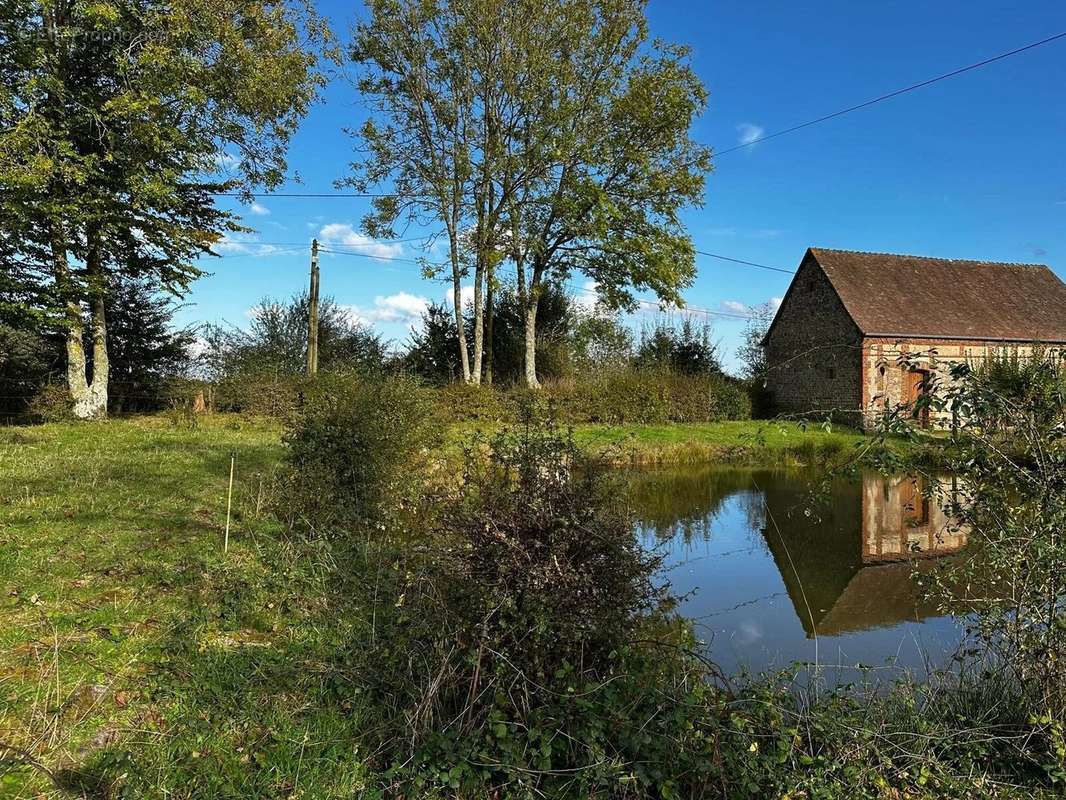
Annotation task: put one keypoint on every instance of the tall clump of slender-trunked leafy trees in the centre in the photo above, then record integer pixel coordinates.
(546, 132)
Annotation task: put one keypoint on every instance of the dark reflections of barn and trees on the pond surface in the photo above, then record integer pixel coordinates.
(847, 558)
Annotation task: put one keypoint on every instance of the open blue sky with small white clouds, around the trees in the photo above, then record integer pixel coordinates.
(970, 168)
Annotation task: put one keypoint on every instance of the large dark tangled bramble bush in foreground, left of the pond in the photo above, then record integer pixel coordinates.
(506, 658)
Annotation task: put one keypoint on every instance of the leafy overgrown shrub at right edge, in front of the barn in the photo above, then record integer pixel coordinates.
(1008, 460)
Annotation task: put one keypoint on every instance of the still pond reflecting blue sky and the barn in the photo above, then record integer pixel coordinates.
(771, 573)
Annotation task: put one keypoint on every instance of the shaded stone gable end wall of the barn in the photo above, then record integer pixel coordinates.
(814, 350)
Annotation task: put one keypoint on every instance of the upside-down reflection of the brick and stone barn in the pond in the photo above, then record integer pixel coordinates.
(850, 567)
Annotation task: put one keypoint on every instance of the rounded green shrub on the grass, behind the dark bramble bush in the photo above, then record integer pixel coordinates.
(358, 453)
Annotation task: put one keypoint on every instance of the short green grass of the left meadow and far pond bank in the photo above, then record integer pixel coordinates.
(126, 630)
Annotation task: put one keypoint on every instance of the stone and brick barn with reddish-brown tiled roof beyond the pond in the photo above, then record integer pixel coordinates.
(850, 321)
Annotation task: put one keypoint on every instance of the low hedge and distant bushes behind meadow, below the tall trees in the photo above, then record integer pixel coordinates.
(594, 369)
